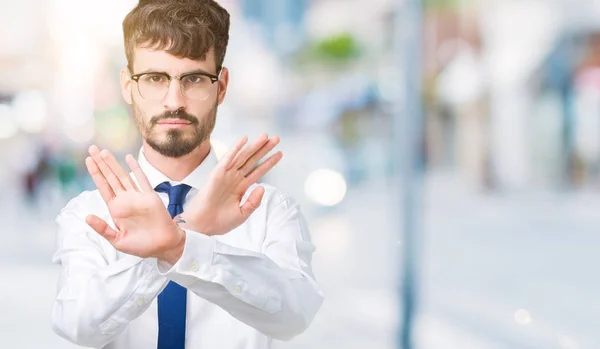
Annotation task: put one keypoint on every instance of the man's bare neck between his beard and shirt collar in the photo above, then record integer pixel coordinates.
(177, 169)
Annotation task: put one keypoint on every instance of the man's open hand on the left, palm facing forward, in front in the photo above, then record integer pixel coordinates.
(144, 227)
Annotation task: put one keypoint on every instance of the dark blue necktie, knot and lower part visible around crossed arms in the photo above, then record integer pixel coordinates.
(172, 300)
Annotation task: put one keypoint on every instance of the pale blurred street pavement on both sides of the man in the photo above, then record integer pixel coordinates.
(484, 258)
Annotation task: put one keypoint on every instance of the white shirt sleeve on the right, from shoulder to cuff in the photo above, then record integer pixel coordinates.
(274, 290)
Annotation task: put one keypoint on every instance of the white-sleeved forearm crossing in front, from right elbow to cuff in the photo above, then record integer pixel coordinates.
(280, 303)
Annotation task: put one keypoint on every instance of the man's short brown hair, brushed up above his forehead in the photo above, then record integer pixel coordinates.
(183, 28)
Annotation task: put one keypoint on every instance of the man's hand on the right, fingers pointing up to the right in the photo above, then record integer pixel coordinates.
(216, 209)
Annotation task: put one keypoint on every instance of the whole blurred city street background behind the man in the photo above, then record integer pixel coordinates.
(505, 179)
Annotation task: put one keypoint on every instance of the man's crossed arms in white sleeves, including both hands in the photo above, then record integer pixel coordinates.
(273, 291)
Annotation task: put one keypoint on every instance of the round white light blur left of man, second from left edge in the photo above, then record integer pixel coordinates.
(31, 111)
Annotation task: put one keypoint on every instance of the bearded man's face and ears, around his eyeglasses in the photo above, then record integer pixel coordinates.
(175, 125)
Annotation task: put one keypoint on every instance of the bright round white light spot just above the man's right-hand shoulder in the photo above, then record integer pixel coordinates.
(325, 187)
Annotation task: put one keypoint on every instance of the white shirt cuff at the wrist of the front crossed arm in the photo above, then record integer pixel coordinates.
(195, 262)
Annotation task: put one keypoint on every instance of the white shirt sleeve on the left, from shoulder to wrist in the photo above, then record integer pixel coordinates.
(97, 295)
